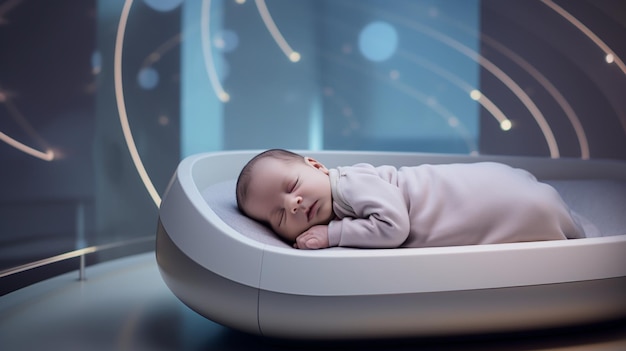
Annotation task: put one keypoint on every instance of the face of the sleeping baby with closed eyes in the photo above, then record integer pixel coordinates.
(290, 196)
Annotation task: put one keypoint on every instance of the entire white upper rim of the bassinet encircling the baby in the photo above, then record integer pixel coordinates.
(210, 242)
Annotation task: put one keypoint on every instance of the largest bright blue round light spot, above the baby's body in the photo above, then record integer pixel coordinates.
(378, 41)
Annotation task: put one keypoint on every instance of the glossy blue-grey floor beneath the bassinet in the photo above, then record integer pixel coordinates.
(124, 305)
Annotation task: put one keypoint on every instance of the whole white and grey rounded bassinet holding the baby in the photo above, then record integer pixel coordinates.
(234, 271)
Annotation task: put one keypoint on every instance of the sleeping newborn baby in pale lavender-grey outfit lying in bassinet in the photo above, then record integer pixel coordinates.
(364, 206)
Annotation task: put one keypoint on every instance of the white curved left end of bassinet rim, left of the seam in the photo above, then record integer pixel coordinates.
(197, 231)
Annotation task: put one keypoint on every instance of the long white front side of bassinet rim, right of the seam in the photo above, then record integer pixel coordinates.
(337, 272)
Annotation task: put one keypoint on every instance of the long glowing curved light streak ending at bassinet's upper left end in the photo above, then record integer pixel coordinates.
(121, 106)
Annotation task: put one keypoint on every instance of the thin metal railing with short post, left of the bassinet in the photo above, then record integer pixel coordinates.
(73, 254)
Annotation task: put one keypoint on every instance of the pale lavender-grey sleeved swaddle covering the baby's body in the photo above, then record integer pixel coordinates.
(445, 205)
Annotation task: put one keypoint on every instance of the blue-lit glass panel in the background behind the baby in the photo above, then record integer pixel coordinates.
(332, 74)
